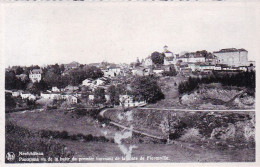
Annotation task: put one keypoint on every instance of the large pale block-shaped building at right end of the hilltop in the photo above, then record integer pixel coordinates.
(232, 57)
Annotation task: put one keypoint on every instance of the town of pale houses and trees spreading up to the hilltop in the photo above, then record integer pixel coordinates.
(109, 84)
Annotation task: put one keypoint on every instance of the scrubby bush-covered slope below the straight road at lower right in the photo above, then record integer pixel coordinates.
(219, 126)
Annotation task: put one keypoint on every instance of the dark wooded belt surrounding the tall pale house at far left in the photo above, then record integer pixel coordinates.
(53, 75)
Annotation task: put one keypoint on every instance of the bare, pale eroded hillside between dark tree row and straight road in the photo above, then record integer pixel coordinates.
(206, 96)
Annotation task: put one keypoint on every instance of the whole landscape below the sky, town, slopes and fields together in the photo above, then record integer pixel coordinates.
(194, 101)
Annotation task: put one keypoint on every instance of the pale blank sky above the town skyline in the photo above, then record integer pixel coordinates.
(52, 33)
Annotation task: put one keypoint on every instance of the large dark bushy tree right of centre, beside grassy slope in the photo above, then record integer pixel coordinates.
(146, 88)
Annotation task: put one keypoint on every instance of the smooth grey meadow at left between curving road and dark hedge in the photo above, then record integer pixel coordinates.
(58, 120)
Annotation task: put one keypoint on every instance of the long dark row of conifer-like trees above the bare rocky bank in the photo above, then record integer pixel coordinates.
(241, 79)
